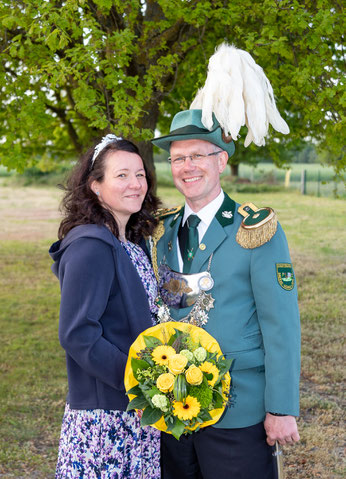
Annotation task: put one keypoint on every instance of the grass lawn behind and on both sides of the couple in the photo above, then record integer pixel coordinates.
(33, 378)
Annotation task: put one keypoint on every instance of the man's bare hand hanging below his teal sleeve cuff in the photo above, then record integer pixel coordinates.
(281, 428)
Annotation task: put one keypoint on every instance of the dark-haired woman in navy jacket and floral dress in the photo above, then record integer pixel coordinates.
(108, 290)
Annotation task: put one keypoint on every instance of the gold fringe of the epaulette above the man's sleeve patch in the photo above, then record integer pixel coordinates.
(253, 238)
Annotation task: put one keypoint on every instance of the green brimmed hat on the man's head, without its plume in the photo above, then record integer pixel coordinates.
(187, 125)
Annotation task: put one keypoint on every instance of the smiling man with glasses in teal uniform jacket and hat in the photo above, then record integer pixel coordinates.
(254, 316)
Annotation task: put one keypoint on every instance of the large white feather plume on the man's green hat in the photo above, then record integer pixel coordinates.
(238, 92)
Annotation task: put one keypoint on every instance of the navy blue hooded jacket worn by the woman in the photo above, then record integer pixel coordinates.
(103, 309)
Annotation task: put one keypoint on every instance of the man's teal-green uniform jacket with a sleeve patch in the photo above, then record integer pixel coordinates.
(254, 319)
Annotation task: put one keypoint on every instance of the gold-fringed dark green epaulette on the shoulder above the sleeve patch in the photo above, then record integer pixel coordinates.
(258, 226)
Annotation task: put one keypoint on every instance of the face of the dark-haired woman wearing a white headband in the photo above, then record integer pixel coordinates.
(124, 185)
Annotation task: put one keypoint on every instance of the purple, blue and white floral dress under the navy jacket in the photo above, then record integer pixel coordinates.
(109, 444)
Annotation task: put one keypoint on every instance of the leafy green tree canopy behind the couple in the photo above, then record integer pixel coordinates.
(74, 70)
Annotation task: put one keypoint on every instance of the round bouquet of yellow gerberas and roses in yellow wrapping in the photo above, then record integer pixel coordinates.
(177, 374)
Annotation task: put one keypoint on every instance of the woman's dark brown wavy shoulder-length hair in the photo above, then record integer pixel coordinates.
(81, 206)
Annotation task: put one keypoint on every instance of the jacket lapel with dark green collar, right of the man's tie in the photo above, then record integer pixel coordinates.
(215, 234)
